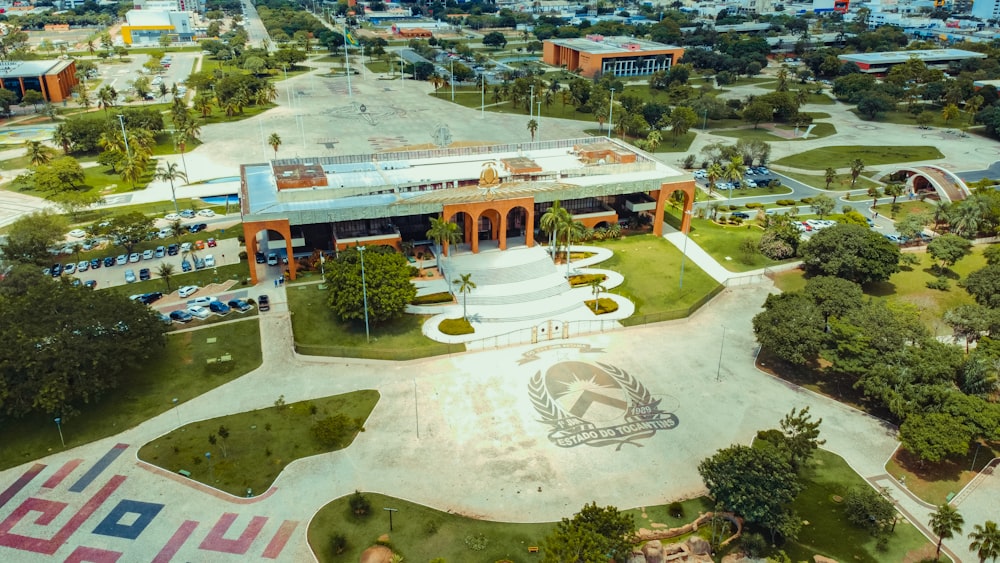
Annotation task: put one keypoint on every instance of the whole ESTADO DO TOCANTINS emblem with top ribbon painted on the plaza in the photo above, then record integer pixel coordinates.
(595, 404)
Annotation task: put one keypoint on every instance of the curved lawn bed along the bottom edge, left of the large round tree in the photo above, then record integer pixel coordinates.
(421, 533)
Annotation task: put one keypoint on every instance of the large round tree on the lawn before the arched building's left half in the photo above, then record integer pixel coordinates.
(386, 283)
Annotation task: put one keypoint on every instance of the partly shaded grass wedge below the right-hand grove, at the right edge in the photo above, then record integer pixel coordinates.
(933, 482)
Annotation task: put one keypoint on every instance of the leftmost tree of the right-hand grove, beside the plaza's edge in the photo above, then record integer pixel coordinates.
(791, 327)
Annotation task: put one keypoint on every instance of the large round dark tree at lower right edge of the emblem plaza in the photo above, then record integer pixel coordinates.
(756, 483)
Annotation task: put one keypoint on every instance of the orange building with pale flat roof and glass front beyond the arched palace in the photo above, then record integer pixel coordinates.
(618, 56)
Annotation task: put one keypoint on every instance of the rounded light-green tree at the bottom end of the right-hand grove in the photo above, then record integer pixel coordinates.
(934, 436)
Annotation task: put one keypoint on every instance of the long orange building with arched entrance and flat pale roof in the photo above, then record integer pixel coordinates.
(496, 194)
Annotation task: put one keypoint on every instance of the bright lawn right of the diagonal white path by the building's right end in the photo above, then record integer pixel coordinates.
(723, 242)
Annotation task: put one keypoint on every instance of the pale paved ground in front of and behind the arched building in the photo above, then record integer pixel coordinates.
(528, 433)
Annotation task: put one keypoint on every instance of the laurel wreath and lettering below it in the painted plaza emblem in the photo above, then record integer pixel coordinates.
(565, 426)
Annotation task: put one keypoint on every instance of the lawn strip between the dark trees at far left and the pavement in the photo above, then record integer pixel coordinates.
(179, 371)
